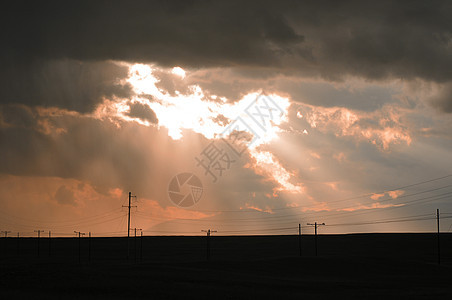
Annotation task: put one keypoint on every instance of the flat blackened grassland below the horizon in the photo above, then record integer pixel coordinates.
(359, 266)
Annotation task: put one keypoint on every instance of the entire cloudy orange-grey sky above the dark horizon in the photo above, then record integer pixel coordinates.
(280, 112)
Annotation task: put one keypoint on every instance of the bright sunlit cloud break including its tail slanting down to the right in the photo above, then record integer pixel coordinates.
(194, 111)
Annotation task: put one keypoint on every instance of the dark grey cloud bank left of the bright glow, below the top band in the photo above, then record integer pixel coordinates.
(70, 84)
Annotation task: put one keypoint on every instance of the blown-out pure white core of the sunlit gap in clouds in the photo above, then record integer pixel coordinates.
(193, 111)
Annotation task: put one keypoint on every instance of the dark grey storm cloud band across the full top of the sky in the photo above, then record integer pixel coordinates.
(329, 38)
